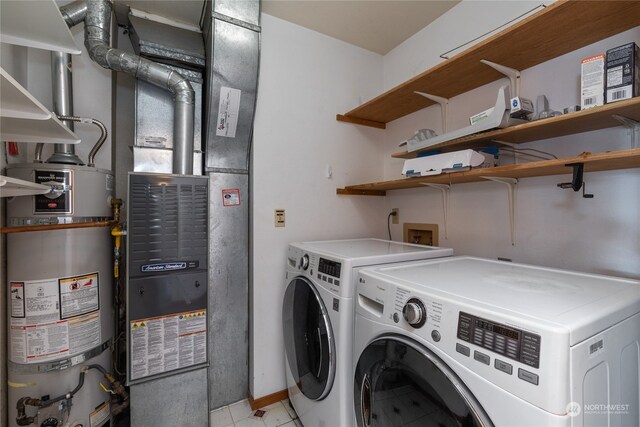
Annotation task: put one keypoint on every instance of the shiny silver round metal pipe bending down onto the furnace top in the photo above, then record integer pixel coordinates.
(97, 29)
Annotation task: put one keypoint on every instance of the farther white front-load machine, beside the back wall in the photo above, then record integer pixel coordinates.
(318, 313)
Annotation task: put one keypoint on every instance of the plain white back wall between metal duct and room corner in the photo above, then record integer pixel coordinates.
(305, 79)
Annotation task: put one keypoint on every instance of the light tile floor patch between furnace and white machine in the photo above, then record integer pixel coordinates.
(240, 414)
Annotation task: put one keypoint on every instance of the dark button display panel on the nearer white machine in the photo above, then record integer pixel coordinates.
(510, 342)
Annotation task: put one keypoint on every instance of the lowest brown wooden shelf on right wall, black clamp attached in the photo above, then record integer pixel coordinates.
(624, 159)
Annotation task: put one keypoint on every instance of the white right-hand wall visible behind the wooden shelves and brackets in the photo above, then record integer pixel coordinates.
(554, 227)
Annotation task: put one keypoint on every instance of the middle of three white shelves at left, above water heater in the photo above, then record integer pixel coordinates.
(24, 119)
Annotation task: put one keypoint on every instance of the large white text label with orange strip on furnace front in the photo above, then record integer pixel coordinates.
(166, 343)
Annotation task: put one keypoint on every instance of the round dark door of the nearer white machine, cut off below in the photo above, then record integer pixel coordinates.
(399, 383)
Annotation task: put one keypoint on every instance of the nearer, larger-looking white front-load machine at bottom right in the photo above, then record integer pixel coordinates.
(470, 342)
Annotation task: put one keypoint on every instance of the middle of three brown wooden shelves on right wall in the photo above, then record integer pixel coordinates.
(567, 124)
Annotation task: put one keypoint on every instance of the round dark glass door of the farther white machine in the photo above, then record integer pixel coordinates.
(308, 339)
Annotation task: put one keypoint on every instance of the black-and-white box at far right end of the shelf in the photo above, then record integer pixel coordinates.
(623, 72)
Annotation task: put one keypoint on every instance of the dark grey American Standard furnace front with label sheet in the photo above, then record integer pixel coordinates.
(167, 249)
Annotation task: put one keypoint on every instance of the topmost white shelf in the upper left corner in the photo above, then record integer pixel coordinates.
(36, 24)
